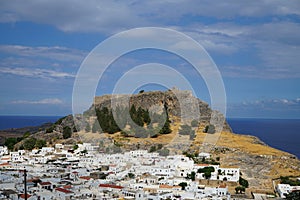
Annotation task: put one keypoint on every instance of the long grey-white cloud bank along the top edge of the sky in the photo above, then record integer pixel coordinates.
(111, 16)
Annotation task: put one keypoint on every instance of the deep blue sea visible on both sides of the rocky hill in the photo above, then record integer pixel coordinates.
(283, 134)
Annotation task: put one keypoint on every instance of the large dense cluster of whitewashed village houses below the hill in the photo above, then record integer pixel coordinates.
(62, 172)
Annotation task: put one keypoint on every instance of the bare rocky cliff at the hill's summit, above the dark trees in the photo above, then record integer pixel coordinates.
(180, 105)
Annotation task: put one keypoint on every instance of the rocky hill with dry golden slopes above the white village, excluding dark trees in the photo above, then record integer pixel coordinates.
(259, 163)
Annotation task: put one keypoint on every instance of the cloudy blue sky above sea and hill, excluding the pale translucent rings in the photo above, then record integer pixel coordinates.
(255, 46)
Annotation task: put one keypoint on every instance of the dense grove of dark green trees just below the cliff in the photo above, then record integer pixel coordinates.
(143, 120)
